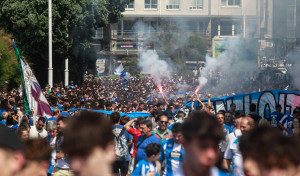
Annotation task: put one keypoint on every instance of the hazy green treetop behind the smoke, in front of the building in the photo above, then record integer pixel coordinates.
(179, 45)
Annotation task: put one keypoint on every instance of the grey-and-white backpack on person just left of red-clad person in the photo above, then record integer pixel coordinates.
(121, 148)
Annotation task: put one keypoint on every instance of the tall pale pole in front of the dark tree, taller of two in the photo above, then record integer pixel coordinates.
(50, 69)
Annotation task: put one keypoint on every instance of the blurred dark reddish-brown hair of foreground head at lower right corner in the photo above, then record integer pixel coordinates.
(269, 148)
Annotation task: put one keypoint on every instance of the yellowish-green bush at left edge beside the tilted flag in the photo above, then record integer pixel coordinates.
(9, 71)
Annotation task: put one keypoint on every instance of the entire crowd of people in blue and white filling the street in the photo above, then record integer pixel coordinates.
(75, 141)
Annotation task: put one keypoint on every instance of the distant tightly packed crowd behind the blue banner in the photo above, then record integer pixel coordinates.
(113, 94)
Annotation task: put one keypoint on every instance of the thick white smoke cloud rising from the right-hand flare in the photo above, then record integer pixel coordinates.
(233, 66)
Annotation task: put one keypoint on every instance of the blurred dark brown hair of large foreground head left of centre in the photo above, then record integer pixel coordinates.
(86, 131)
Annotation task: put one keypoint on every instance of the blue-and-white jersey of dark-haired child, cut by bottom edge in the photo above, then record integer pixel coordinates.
(143, 167)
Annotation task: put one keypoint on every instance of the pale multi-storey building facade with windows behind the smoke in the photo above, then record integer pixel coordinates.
(213, 19)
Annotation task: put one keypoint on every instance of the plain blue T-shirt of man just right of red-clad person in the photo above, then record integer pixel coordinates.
(142, 144)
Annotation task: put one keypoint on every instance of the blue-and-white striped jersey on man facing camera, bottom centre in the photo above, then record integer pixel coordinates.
(172, 155)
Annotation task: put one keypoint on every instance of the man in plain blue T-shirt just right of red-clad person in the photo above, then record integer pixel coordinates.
(146, 138)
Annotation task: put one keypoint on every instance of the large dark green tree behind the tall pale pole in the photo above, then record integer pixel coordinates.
(74, 22)
